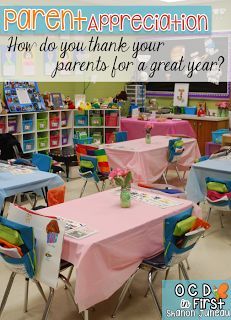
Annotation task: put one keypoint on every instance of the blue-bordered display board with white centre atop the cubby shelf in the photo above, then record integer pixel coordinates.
(23, 96)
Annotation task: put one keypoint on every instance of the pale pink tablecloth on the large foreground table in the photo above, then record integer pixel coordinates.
(105, 260)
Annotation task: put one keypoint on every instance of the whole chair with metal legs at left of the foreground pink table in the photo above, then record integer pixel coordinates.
(28, 260)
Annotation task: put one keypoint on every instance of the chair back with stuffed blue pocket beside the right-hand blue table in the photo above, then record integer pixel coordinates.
(218, 193)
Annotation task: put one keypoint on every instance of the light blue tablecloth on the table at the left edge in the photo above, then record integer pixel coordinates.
(11, 184)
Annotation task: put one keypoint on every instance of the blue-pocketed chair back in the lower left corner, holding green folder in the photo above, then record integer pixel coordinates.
(17, 247)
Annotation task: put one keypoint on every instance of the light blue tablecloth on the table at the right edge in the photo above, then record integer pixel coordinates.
(214, 168)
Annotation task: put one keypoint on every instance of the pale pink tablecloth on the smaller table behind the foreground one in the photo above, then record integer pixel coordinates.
(148, 162)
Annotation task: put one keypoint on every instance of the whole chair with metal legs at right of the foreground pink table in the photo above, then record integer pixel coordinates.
(171, 256)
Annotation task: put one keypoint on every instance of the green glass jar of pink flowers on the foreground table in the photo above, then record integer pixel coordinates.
(123, 179)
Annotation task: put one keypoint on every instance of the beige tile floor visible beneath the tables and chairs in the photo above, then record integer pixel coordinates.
(211, 259)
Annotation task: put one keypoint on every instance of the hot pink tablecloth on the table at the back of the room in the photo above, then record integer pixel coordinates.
(136, 128)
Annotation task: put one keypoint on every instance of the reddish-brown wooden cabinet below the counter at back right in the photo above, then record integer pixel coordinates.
(204, 128)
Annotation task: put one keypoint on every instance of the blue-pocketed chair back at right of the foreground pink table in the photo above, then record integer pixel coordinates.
(177, 246)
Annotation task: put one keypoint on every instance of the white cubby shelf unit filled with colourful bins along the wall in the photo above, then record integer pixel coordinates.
(55, 129)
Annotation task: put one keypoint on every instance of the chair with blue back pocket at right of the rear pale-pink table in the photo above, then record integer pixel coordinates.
(175, 150)
